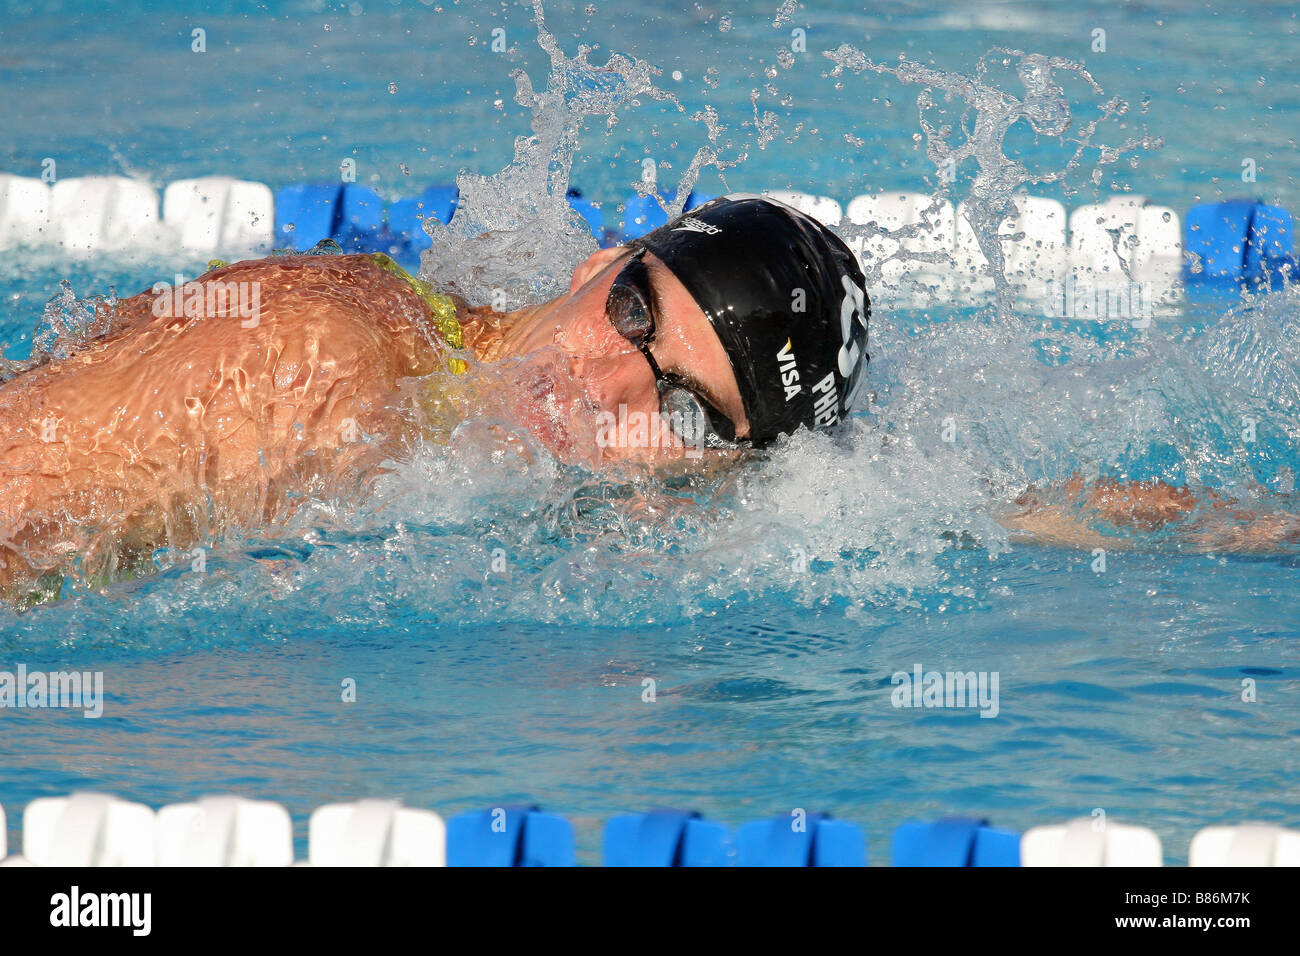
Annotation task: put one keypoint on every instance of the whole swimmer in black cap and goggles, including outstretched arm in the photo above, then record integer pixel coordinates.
(188, 416)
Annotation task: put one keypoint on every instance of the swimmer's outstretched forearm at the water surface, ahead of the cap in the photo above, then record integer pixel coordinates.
(1068, 517)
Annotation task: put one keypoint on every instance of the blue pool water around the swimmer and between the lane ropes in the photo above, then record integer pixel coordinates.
(772, 609)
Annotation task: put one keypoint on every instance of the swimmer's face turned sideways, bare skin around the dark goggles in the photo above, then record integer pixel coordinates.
(616, 377)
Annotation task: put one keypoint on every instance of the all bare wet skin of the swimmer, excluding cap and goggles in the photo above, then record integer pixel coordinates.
(167, 431)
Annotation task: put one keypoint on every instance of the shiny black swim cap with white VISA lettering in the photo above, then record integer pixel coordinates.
(787, 300)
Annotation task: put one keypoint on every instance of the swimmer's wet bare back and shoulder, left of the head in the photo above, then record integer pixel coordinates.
(168, 419)
